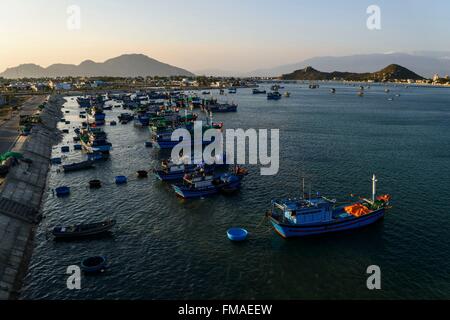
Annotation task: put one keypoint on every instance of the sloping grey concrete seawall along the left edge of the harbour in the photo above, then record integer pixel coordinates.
(20, 198)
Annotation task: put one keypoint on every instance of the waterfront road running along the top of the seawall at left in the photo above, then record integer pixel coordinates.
(9, 129)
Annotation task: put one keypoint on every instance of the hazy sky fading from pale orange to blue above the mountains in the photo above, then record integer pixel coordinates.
(238, 35)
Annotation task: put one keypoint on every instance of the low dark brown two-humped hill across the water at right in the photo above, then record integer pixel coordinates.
(390, 73)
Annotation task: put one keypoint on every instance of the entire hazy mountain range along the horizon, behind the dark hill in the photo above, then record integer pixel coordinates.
(425, 63)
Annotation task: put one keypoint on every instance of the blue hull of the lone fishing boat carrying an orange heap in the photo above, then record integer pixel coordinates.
(290, 230)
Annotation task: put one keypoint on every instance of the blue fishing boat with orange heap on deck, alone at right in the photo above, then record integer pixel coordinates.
(320, 215)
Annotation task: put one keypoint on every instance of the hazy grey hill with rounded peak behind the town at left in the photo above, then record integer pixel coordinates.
(128, 65)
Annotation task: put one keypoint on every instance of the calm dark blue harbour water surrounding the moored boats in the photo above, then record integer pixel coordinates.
(166, 248)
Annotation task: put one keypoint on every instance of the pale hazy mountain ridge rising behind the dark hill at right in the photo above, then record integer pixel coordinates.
(424, 63)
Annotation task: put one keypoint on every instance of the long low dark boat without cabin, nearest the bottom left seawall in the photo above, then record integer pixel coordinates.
(83, 230)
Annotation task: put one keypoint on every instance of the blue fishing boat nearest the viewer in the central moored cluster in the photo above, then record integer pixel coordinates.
(201, 184)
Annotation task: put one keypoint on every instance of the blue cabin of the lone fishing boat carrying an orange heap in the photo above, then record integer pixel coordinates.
(304, 211)
